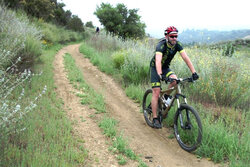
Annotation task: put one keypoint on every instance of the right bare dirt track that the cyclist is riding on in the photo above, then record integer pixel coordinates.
(144, 140)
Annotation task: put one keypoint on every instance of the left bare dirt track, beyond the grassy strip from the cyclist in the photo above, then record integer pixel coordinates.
(85, 127)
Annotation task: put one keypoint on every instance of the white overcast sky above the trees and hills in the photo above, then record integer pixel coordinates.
(184, 14)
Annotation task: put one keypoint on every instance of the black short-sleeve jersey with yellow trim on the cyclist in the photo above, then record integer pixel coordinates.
(168, 52)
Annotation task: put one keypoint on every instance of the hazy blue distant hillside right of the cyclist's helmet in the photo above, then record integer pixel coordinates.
(205, 36)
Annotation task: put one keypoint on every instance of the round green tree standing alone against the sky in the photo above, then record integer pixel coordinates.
(120, 21)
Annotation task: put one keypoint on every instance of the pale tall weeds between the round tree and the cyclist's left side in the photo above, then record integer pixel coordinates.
(130, 57)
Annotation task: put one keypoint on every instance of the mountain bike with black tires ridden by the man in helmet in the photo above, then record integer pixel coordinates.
(187, 122)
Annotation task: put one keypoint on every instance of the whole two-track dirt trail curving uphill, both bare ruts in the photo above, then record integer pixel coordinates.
(144, 140)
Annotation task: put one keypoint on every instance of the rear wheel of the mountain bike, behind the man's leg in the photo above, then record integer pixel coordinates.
(146, 106)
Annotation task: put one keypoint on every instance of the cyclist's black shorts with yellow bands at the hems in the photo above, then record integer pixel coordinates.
(155, 79)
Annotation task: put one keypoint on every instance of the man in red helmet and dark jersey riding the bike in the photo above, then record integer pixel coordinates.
(159, 65)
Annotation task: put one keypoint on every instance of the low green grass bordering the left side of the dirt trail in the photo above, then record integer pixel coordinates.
(44, 137)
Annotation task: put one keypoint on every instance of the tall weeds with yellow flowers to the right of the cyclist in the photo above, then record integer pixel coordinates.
(223, 80)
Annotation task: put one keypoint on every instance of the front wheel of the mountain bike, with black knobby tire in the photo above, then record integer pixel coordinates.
(188, 128)
